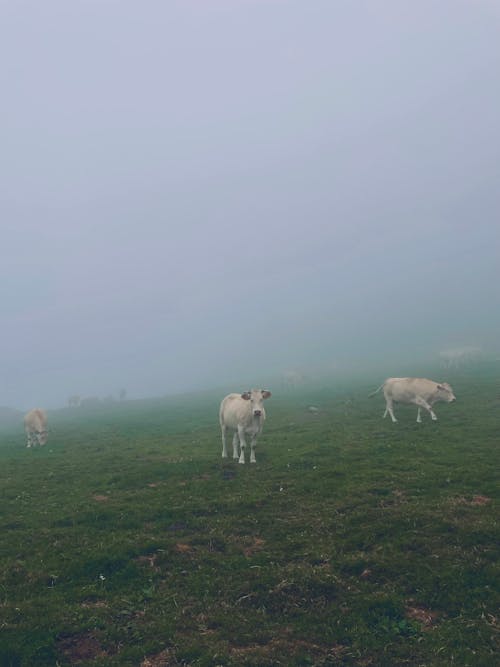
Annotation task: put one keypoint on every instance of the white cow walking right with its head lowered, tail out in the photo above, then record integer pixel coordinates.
(419, 391)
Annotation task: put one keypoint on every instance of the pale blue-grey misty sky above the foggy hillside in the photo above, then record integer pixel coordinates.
(195, 191)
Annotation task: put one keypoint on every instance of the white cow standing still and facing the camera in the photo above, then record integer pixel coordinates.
(245, 414)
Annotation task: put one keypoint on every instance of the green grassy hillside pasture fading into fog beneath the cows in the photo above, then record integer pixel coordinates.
(127, 540)
